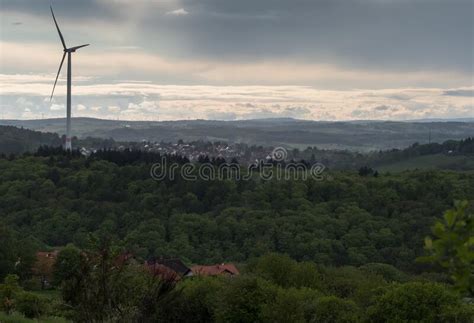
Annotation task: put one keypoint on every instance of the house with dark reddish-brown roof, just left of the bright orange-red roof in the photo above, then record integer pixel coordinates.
(168, 268)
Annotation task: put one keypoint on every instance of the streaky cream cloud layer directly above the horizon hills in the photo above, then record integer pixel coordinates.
(27, 96)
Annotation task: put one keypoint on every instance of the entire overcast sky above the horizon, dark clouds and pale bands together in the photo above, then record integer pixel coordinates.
(240, 59)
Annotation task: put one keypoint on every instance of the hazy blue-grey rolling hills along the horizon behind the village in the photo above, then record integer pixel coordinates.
(356, 136)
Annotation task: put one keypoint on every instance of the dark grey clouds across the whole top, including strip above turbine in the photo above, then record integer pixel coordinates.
(379, 34)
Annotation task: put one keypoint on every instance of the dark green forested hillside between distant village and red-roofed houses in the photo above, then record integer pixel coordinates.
(345, 219)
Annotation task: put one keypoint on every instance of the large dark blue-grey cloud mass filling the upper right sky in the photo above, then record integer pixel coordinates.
(392, 33)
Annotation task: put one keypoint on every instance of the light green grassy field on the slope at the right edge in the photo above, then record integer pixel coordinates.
(438, 161)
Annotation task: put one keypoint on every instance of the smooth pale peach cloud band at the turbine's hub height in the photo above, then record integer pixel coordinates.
(135, 63)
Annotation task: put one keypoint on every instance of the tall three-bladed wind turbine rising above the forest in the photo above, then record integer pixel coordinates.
(67, 51)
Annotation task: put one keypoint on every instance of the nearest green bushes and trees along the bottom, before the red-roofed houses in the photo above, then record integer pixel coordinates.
(273, 288)
